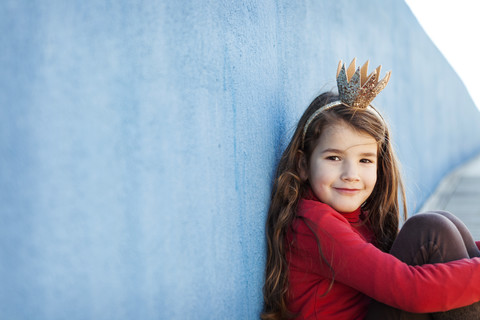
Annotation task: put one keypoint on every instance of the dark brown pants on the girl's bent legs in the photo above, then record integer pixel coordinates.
(431, 237)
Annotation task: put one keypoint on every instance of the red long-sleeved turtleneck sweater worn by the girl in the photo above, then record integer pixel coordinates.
(363, 271)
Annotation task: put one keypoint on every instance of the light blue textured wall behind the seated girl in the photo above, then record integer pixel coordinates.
(138, 142)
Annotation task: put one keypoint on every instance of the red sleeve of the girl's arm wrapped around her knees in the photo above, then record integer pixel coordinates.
(362, 266)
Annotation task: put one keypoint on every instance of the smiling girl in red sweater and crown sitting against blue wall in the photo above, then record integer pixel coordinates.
(333, 251)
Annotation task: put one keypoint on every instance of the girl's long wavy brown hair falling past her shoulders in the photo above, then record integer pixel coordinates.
(288, 188)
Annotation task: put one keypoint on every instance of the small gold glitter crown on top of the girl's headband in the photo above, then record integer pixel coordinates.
(355, 88)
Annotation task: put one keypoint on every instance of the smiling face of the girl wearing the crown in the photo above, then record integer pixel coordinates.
(343, 167)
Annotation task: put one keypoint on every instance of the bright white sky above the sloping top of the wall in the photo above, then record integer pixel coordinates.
(454, 27)
